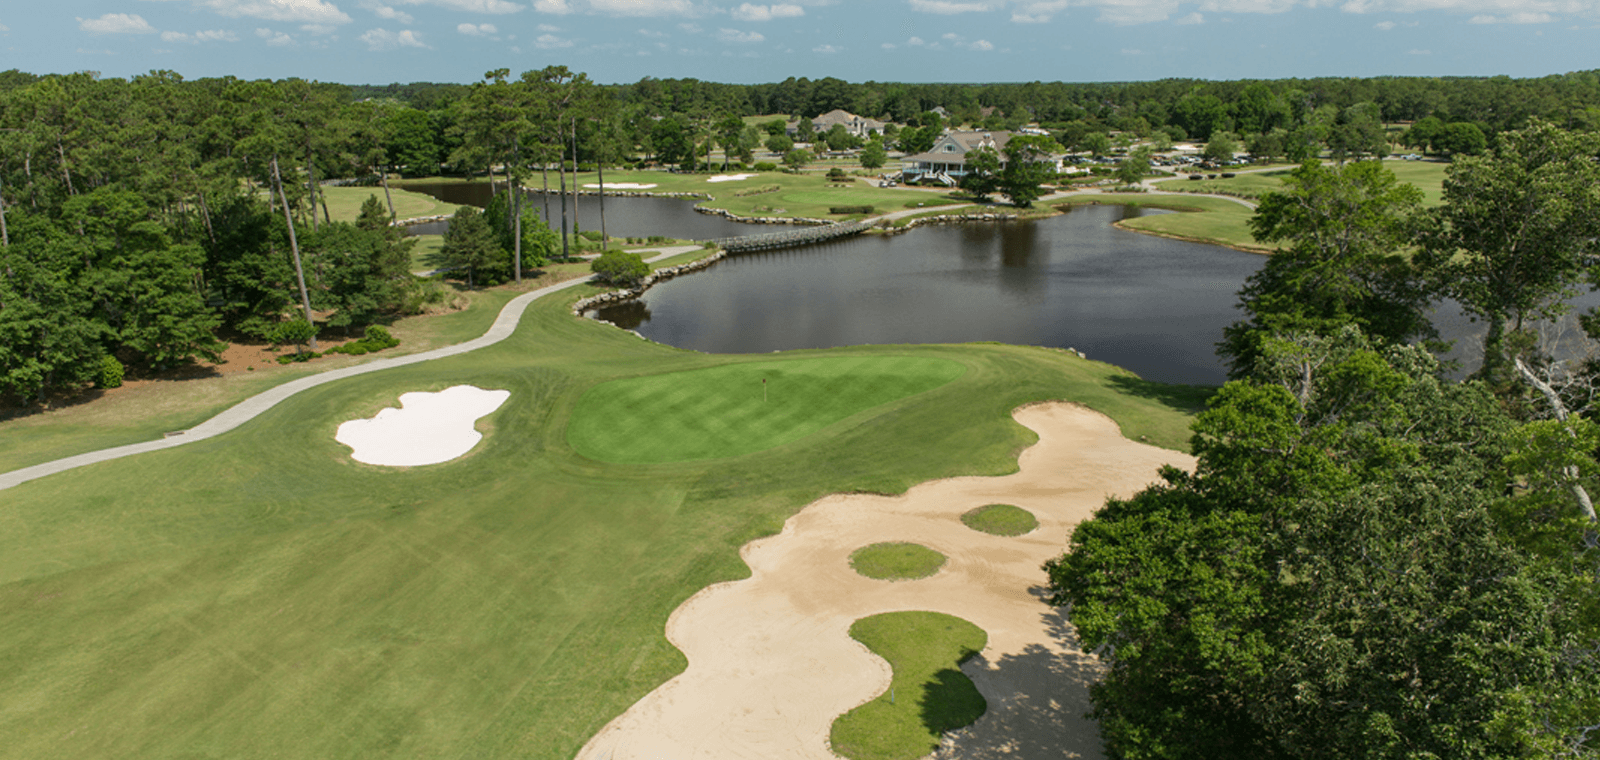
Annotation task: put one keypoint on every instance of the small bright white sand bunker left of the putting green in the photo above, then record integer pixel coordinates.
(426, 430)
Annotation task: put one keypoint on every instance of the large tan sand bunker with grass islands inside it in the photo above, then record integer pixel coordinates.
(772, 662)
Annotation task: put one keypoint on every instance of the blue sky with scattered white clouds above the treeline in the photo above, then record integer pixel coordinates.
(887, 41)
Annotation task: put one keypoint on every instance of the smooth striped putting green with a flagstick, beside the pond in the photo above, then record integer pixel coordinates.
(740, 409)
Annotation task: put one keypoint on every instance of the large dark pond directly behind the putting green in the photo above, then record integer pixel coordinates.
(1151, 305)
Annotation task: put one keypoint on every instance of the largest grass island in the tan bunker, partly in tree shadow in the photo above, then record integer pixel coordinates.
(929, 694)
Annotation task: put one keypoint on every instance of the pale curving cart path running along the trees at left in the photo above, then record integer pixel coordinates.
(247, 410)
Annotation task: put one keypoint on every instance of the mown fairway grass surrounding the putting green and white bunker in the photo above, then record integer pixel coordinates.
(262, 594)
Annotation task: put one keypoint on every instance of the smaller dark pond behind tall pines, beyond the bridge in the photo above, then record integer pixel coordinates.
(623, 217)
